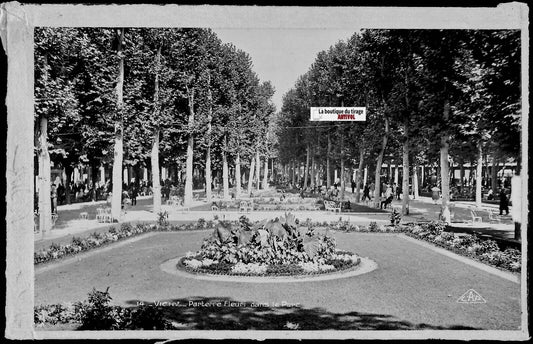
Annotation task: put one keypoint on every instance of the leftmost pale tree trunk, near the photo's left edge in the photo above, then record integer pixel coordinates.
(45, 204)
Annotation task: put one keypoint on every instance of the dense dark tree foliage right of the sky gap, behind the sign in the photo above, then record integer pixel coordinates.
(432, 96)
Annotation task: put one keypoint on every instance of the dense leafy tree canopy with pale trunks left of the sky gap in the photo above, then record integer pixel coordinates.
(177, 98)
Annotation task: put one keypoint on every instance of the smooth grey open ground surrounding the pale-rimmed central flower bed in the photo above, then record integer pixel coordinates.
(412, 288)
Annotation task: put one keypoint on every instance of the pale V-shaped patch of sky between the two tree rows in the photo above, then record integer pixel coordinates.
(282, 55)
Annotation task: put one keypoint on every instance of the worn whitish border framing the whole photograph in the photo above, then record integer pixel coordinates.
(16, 31)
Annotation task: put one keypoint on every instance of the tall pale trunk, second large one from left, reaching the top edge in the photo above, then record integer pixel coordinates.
(118, 152)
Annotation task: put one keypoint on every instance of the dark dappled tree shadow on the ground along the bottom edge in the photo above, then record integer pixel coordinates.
(228, 314)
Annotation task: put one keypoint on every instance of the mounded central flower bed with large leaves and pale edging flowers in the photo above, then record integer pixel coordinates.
(277, 247)
